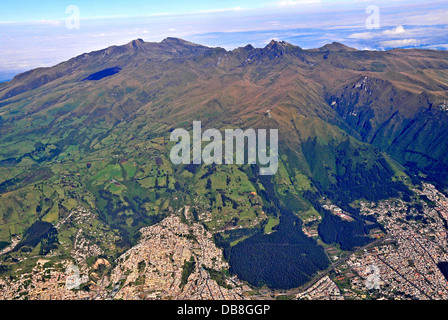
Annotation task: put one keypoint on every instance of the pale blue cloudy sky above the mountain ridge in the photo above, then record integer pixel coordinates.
(44, 33)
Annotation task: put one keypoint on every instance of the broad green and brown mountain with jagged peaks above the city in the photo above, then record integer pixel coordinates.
(93, 132)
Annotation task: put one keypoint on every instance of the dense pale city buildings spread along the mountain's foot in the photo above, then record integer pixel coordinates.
(178, 259)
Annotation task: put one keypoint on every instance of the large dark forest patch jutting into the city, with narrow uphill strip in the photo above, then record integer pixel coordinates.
(283, 259)
